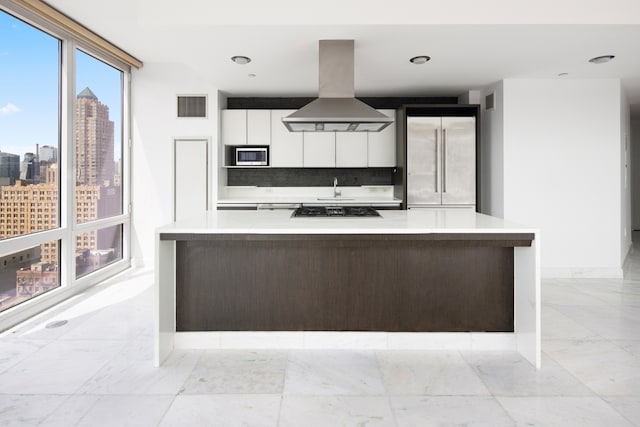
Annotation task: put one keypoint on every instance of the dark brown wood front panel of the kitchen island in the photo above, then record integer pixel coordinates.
(441, 282)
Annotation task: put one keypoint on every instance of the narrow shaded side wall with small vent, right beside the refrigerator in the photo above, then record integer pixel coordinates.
(492, 153)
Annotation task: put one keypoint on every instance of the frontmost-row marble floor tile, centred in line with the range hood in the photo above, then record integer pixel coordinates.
(322, 411)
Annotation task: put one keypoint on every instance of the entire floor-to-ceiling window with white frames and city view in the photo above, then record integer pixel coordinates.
(84, 228)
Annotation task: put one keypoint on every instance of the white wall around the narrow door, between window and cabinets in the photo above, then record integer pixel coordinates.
(154, 127)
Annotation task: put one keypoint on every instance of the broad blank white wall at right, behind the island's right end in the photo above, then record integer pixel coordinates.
(562, 171)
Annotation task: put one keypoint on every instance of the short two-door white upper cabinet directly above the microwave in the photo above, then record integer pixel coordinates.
(242, 127)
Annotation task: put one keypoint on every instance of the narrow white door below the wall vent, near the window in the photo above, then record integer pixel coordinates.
(191, 178)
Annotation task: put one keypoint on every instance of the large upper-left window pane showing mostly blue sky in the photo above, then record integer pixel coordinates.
(29, 94)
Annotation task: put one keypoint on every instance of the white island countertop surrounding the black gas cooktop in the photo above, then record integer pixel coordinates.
(414, 221)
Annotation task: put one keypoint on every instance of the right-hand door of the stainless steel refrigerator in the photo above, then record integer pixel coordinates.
(458, 160)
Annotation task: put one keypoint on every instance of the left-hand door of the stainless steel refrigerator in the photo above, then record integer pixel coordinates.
(423, 164)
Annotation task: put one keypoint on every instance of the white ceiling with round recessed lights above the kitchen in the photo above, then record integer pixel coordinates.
(470, 46)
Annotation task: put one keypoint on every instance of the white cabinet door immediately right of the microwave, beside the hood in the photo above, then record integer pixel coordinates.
(286, 147)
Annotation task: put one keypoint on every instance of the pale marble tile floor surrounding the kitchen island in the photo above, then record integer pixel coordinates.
(97, 371)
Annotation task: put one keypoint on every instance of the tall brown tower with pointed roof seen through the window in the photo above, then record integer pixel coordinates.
(94, 141)
